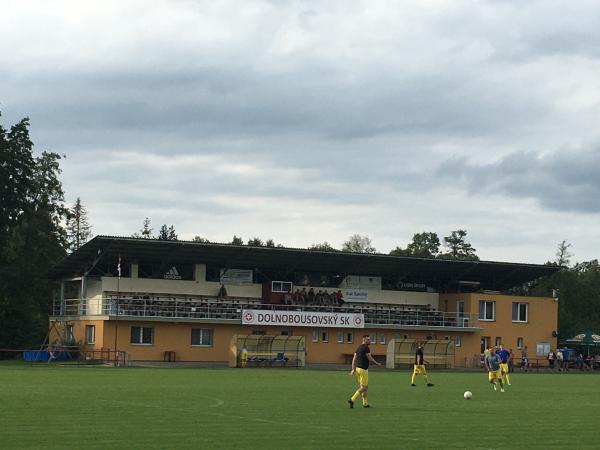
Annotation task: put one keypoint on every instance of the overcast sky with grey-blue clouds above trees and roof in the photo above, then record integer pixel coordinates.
(310, 121)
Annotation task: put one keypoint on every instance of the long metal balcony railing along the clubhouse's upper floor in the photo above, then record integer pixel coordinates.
(210, 308)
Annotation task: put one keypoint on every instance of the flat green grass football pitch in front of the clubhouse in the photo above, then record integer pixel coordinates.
(83, 407)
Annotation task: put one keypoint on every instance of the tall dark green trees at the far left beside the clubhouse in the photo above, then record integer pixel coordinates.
(31, 236)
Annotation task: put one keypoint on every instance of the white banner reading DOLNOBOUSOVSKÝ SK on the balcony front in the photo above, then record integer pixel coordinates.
(302, 318)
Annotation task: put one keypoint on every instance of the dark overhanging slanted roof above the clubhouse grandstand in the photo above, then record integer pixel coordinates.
(437, 273)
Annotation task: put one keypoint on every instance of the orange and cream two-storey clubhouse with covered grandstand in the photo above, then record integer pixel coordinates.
(155, 300)
